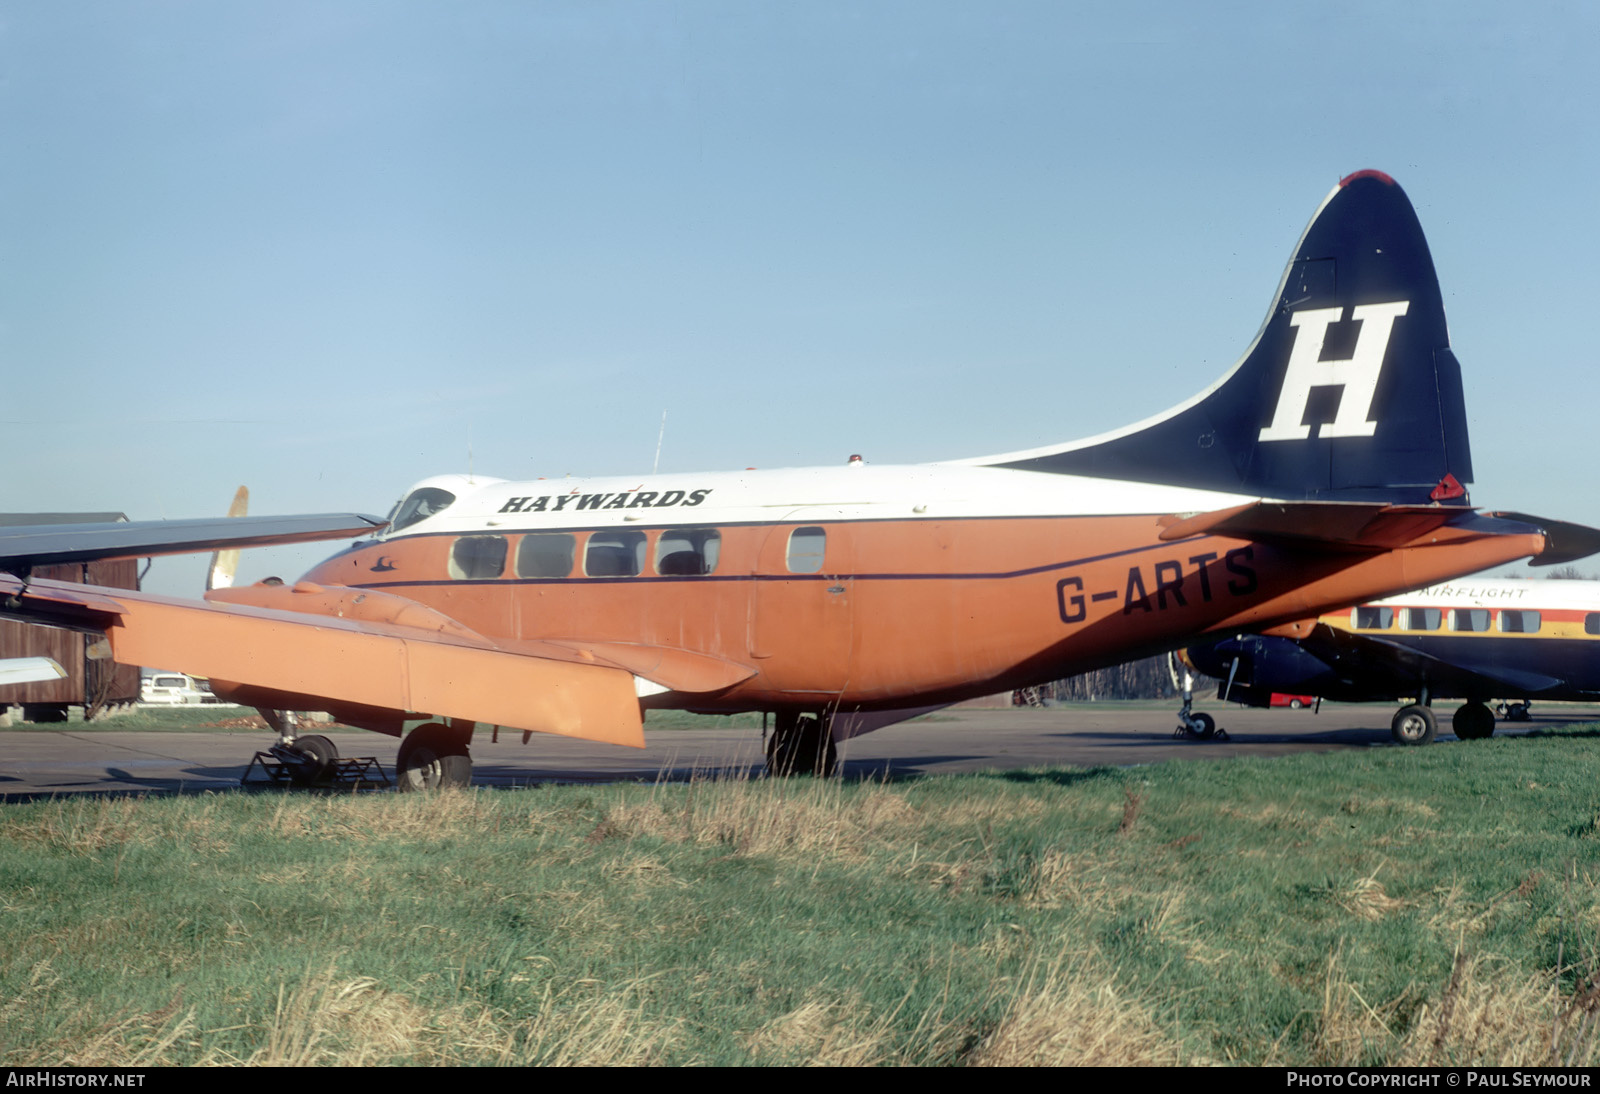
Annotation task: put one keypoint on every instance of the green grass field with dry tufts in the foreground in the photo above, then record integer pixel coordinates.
(1390, 906)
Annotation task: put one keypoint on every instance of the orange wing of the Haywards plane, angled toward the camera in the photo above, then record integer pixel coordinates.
(420, 669)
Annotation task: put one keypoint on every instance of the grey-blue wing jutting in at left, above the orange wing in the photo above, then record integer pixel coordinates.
(26, 546)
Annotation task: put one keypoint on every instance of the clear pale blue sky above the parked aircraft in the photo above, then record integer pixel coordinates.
(326, 249)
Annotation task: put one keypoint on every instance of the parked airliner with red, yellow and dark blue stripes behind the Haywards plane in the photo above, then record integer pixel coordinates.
(1476, 641)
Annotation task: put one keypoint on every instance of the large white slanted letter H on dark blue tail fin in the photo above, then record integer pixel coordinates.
(1358, 375)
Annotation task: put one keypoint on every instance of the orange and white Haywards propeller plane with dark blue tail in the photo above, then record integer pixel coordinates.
(1324, 469)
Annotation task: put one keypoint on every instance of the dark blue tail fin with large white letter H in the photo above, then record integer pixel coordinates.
(1350, 391)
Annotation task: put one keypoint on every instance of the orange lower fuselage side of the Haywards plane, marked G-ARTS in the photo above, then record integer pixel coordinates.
(910, 612)
